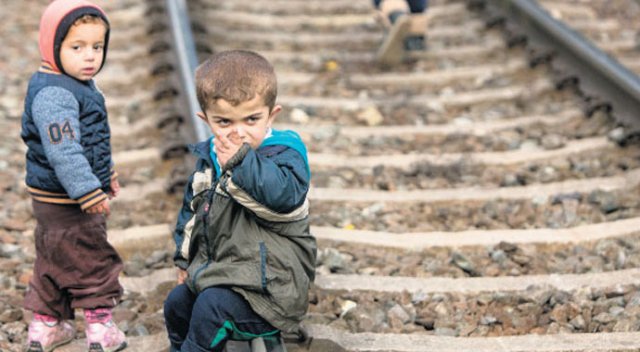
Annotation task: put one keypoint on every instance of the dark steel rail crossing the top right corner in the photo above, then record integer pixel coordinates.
(604, 82)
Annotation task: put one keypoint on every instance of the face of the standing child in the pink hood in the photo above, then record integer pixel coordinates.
(81, 52)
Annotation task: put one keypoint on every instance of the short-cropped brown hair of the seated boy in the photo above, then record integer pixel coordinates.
(235, 76)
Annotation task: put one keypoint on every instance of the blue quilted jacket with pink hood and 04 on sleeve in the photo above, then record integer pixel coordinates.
(64, 123)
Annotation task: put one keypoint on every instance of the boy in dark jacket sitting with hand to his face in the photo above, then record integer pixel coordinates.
(244, 253)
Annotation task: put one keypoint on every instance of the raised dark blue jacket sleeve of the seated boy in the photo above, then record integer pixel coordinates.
(275, 177)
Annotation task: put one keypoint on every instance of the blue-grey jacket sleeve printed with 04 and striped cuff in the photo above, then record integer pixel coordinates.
(56, 115)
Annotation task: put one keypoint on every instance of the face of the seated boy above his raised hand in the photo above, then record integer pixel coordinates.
(247, 122)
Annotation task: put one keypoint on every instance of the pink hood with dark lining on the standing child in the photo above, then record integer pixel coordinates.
(54, 26)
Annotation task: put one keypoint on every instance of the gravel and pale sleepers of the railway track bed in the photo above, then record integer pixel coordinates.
(460, 200)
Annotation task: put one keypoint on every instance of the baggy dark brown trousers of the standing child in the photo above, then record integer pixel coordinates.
(75, 265)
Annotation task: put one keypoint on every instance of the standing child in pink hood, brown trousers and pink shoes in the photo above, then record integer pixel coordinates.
(70, 177)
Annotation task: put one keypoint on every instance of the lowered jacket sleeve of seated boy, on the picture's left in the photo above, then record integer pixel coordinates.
(183, 226)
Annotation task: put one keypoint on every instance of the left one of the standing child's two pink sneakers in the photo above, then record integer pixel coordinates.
(46, 336)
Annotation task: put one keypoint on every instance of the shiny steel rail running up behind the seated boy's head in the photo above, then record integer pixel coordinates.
(187, 61)
